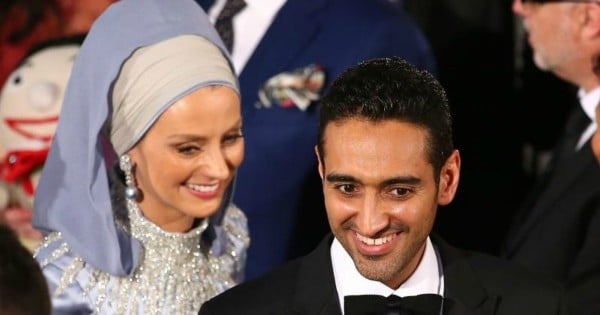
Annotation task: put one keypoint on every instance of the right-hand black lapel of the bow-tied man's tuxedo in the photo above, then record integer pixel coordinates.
(463, 292)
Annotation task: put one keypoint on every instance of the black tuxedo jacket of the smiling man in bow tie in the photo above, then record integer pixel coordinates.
(474, 284)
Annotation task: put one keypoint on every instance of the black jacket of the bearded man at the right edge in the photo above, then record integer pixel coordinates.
(558, 230)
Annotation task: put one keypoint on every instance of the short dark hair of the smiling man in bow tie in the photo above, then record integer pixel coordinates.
(391, 89)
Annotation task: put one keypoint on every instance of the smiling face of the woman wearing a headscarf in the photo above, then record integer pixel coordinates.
(188, 158)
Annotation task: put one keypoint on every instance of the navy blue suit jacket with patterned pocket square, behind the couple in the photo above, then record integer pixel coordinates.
(277, 185)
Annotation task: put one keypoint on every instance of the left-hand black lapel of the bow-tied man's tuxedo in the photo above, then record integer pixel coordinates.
(315, 290)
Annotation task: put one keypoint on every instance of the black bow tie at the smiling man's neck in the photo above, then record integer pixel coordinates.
(424, 304)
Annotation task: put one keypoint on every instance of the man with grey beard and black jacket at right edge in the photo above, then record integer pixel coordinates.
(557, 229)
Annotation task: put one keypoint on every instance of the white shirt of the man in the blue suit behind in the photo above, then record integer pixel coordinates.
(249, 26)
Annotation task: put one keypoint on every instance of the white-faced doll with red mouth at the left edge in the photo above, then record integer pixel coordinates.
(30, 103)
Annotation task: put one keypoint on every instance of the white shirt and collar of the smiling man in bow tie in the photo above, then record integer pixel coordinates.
(427, 278)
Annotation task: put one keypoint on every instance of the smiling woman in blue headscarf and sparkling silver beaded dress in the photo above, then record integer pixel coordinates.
(135, 196)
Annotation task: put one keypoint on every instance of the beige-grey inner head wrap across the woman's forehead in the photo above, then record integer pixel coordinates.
(151, 78)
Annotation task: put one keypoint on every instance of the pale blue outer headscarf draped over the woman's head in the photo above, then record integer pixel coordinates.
(73, 193)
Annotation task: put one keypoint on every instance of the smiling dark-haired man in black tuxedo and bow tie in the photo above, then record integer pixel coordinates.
(387, 161)
